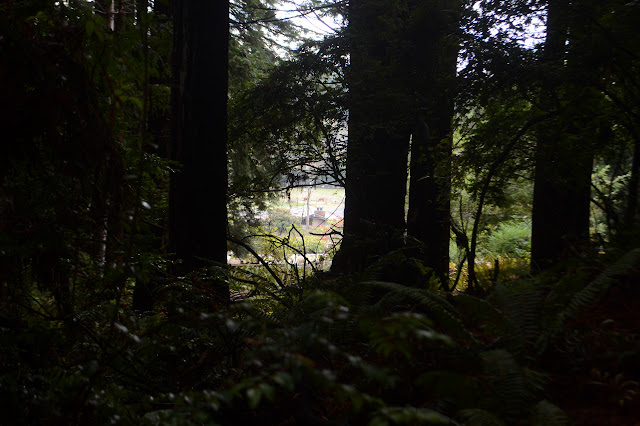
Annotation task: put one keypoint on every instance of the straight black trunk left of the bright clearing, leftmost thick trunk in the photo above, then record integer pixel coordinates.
(198, 213)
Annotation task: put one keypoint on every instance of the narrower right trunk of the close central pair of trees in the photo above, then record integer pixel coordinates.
(432, 61)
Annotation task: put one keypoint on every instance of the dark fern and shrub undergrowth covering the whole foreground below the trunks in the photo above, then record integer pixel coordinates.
(338, 351)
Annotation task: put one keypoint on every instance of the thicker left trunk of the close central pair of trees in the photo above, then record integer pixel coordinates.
(378, 138)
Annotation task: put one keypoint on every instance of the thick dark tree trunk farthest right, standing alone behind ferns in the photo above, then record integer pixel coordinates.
(565, 150)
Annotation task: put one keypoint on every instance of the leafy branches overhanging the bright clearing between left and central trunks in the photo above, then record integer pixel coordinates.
(288, 130)
